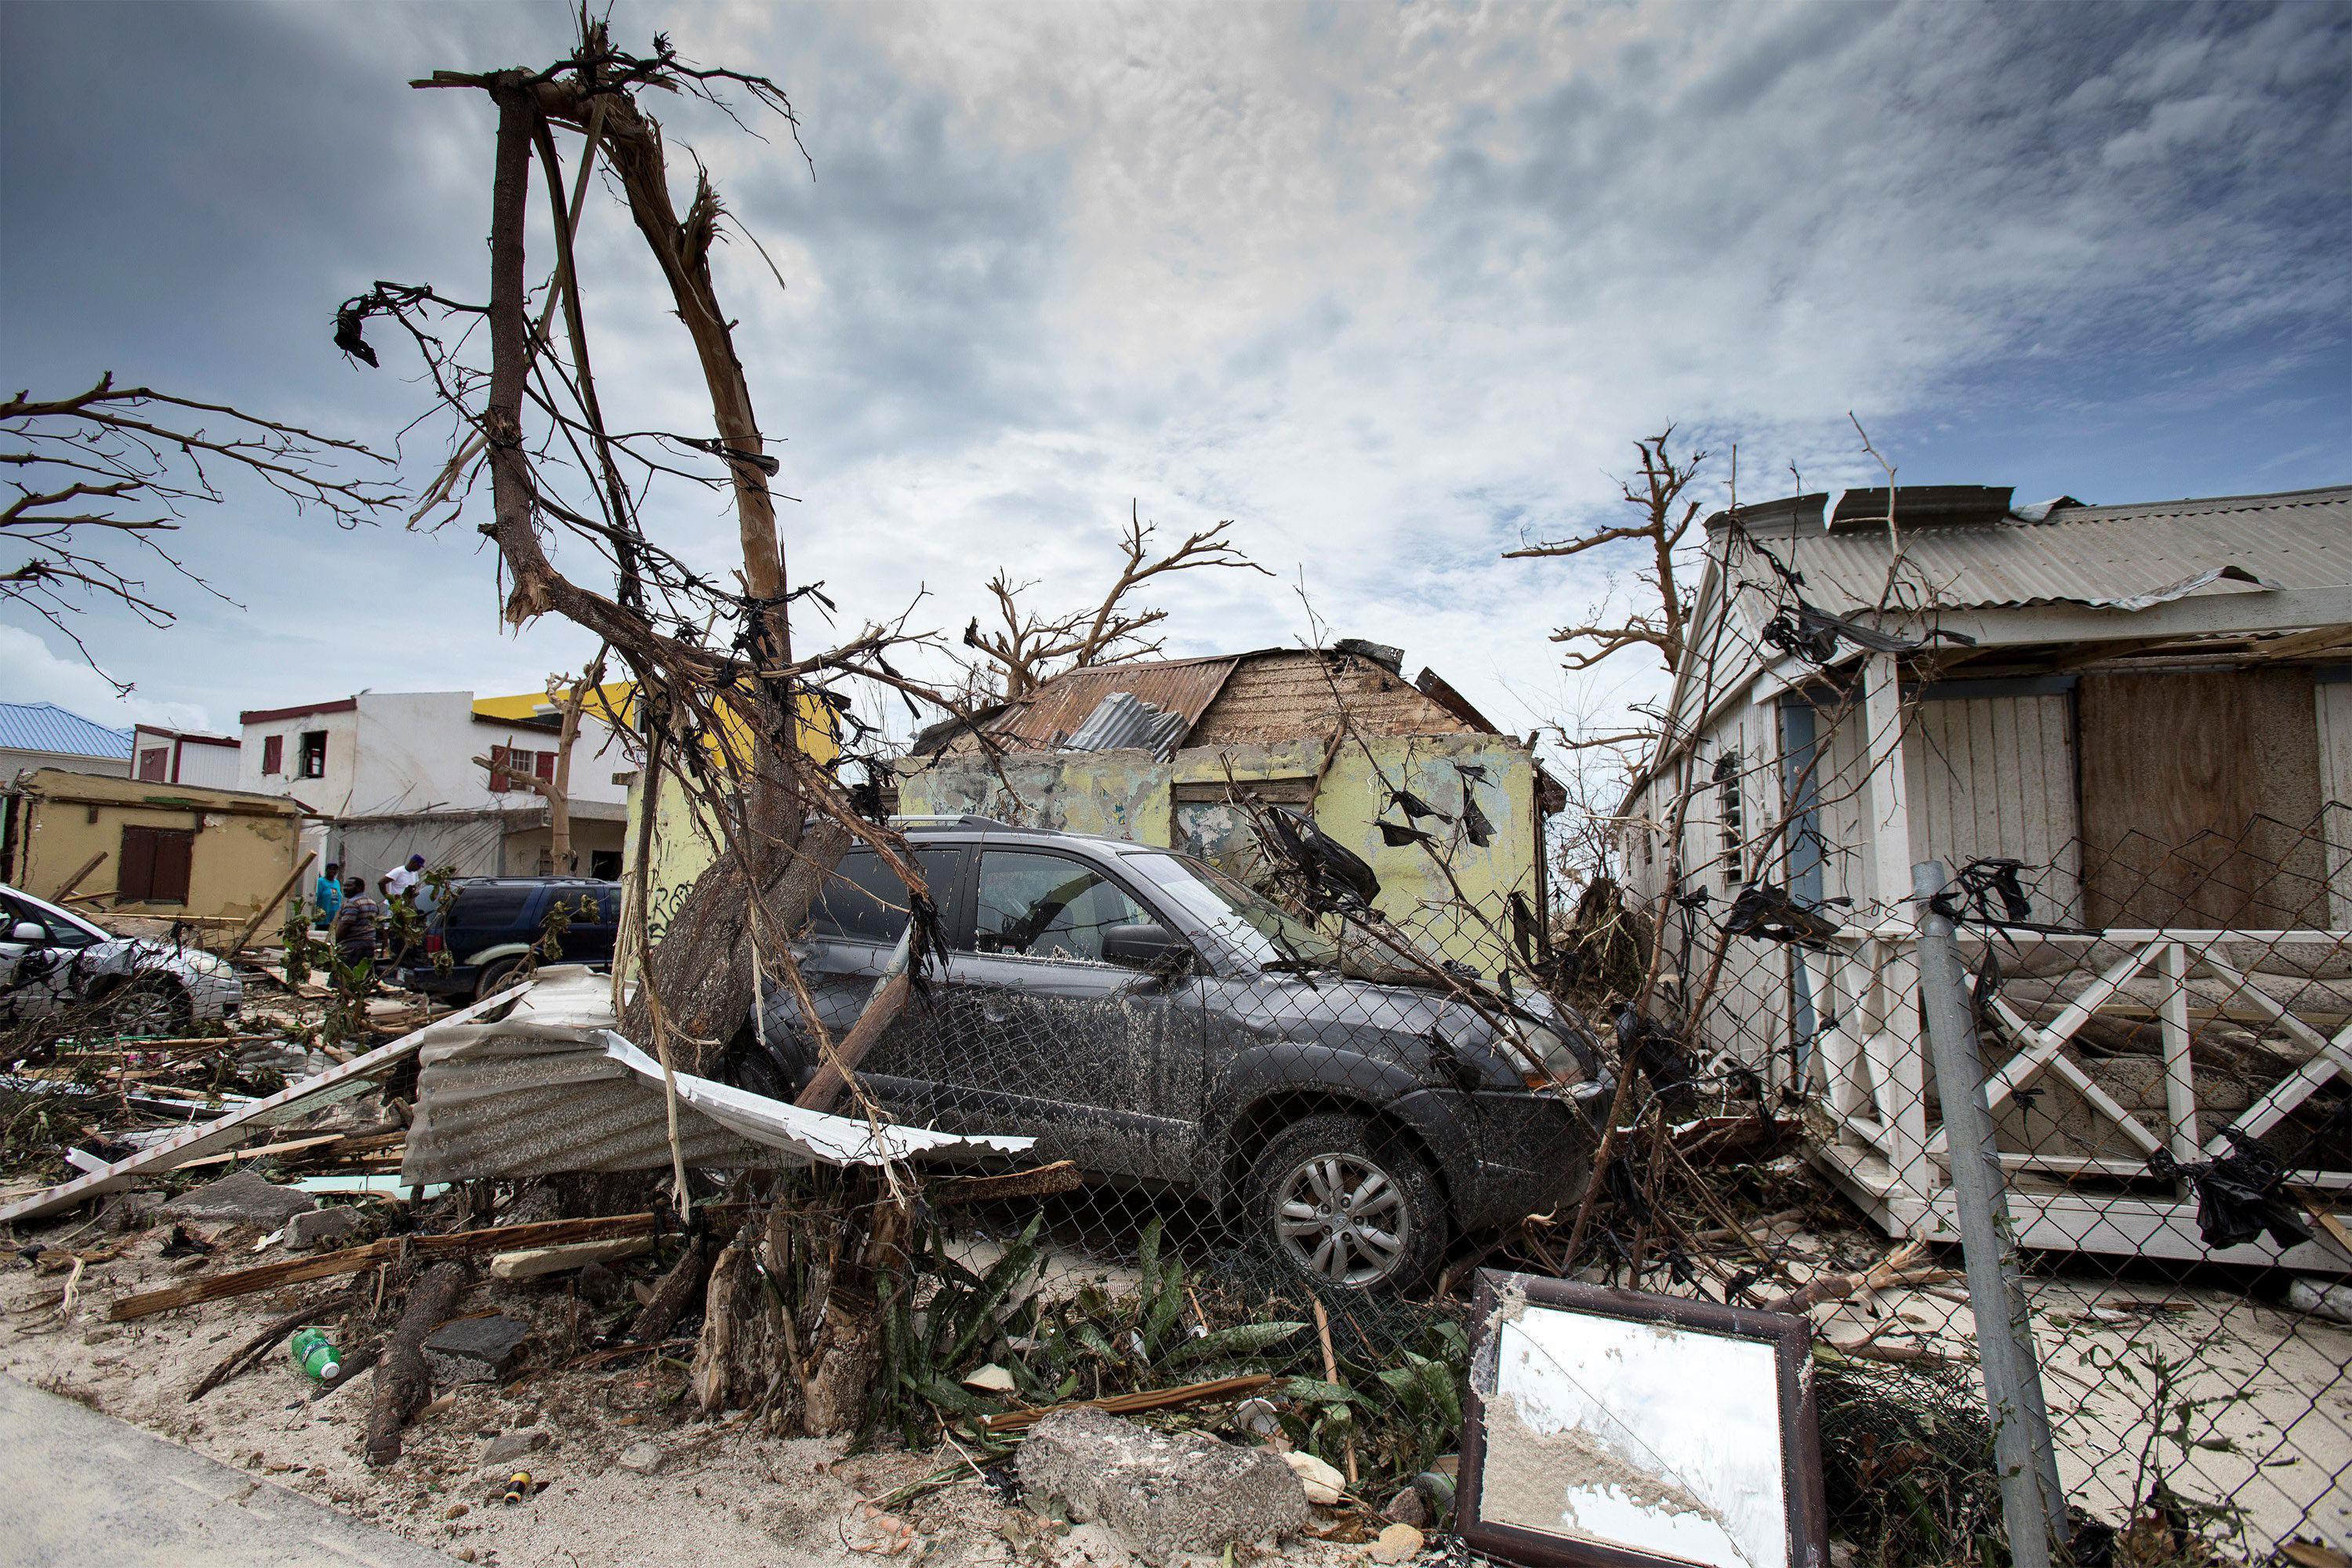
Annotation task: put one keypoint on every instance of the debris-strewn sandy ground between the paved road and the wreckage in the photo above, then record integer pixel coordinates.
(723, 1499)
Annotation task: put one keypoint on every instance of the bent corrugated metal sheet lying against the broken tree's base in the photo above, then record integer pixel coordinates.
(554, 1090)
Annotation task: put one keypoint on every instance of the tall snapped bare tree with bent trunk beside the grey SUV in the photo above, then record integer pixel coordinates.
(726, 704)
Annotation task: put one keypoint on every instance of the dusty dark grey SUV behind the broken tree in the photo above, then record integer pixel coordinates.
(1163, 1026)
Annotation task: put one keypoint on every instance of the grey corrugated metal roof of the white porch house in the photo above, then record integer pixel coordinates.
(2116, 556)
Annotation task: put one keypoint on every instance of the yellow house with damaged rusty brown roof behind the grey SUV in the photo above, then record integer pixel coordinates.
(1408, 775)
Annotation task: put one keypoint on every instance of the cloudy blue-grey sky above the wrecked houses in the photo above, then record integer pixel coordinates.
(1389, 286)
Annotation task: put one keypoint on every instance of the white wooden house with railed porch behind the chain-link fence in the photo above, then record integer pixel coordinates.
(2151, 709)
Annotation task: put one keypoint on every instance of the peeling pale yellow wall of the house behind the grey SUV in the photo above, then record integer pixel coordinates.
(1130, 796)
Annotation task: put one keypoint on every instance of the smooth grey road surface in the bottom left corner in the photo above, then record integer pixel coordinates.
(83, 1489)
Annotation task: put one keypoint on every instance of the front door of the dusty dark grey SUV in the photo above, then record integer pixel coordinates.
(1100, 1061)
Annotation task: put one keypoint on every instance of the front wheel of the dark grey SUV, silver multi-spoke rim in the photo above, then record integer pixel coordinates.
(1349, 1207)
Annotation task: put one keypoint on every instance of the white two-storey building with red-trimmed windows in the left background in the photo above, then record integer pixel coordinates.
(394, 775)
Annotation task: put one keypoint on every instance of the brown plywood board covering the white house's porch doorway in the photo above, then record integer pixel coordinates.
(2200, 800)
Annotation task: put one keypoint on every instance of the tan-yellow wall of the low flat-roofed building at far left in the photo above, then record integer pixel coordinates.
(243, 850)
